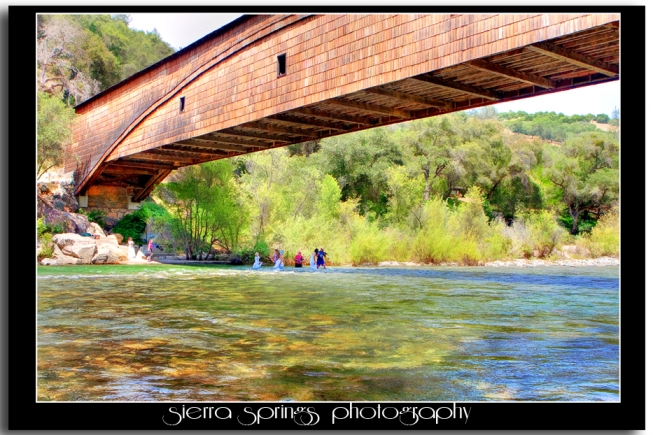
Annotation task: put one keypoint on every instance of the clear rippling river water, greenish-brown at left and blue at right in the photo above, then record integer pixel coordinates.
(215, 333)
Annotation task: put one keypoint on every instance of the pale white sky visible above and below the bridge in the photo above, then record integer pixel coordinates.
(180, 30)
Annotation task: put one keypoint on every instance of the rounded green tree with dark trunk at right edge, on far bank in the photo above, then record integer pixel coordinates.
(586, 173)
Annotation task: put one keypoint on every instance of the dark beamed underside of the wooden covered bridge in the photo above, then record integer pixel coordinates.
(579, 59)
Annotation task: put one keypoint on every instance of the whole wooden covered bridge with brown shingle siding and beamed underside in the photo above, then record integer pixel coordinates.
(342, 73)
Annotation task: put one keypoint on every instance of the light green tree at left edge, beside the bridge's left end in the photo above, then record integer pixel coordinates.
(54, 134)
